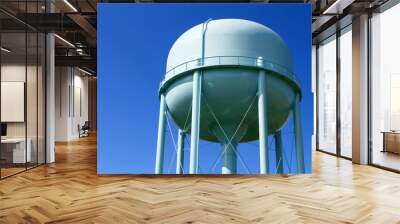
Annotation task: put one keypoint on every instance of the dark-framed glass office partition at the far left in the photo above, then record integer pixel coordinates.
(22, 88)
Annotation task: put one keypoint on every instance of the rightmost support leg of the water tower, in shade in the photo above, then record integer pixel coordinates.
(298, 136)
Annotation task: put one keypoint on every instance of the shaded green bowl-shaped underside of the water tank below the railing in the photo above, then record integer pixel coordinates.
(229, 92)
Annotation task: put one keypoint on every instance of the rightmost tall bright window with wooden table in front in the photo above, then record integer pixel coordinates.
(385, 88)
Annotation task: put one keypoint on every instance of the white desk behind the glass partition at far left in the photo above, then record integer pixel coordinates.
(13, 150)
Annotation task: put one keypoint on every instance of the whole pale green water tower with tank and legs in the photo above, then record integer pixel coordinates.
(229, 81)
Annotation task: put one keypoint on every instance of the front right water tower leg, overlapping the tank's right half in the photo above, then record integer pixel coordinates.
(263, 121)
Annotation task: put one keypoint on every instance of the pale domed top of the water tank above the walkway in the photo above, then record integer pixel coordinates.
(228, 41)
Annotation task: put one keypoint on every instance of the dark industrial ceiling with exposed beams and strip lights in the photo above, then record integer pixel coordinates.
(75, 22)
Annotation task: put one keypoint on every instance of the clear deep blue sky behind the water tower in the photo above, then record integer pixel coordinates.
(133, 44)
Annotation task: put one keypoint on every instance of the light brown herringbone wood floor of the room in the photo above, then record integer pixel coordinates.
(69, 191)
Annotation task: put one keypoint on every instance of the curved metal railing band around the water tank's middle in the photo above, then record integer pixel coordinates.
(231, 61)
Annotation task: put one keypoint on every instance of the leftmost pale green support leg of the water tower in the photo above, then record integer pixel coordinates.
(160, 137)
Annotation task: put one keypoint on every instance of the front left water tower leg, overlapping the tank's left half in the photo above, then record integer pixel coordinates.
(195, 127)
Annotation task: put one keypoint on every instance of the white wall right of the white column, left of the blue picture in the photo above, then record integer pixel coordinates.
(71, 102)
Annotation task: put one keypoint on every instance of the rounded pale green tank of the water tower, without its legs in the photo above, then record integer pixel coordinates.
(229, 53)
